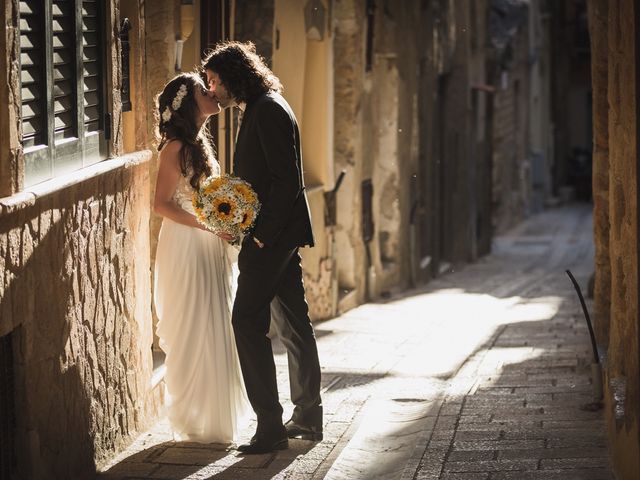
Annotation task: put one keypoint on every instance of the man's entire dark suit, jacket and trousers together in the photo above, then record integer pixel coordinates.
(268, 156)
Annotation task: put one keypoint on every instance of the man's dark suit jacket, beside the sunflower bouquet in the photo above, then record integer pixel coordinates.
(268, 156)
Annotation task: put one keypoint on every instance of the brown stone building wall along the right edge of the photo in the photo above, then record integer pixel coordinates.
(615, 45)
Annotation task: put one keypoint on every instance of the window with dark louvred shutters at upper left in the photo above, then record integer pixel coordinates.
(62, 86)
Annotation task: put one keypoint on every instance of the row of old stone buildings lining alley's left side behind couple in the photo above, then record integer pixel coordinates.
(408, 98)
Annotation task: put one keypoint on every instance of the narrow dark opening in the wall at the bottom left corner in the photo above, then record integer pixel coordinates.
(7, 410)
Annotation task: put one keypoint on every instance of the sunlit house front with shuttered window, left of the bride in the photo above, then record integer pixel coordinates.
(75, 321)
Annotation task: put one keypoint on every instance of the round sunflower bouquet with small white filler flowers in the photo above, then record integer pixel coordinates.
(226, 204)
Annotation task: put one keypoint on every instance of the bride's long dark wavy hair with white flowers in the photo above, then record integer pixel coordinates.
(182, 124)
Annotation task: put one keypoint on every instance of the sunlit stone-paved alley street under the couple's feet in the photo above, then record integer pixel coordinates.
(480, 375)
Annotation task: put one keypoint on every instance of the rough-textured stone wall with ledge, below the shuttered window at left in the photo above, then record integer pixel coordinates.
(75, 296)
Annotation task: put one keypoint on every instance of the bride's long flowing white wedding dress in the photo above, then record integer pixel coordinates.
(194, 289)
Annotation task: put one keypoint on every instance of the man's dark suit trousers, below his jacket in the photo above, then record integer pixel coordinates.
(275, 273)
